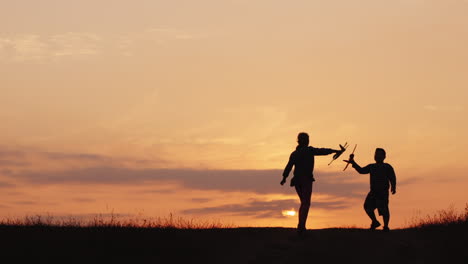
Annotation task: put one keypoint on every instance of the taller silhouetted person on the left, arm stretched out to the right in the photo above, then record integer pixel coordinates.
(303, 161)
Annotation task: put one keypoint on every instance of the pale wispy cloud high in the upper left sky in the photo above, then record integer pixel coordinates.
(33, 47)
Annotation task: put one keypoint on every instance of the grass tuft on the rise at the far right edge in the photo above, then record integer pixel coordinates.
(445, 217)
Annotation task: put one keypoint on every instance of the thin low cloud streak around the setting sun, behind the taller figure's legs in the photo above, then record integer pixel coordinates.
(263, 209)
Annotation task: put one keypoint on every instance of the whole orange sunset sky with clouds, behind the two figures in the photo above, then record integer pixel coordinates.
(145, 108)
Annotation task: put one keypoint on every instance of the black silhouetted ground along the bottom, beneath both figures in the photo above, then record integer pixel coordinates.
(35, 244)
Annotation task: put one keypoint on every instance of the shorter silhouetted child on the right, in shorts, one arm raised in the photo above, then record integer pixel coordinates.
(382, 176)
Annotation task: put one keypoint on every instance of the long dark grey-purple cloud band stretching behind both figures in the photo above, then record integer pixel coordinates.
(256, 181)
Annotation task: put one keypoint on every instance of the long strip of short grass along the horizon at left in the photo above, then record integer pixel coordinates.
(114, 221)
